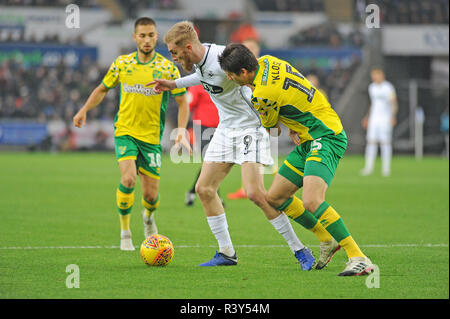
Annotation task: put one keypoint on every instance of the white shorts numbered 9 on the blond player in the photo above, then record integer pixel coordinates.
(239, 145)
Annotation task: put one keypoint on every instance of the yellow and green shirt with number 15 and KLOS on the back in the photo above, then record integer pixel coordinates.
(282, 94)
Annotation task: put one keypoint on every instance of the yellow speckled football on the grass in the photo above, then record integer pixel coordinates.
(157, 250)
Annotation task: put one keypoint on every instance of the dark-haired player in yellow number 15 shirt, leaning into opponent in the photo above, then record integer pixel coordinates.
(281, 94)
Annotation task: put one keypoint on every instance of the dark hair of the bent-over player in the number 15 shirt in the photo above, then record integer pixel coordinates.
(236, 57)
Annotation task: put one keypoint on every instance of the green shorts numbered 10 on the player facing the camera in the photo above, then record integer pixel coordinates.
(147, 156)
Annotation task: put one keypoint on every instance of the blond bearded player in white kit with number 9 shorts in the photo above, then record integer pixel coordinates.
(239, 139)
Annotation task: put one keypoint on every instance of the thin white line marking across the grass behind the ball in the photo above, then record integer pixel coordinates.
(211, 246)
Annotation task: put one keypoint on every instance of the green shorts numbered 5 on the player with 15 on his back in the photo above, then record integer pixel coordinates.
(319, 157)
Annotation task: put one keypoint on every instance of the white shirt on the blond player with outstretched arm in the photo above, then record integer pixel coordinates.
(234, 111)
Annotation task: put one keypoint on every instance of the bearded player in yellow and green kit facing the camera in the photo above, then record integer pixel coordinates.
(139, 123)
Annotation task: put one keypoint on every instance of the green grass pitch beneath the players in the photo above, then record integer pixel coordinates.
(59, 209)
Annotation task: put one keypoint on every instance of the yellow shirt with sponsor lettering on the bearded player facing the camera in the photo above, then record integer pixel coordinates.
(141, 112)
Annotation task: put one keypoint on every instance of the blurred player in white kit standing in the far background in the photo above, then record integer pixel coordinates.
(379, 122)
